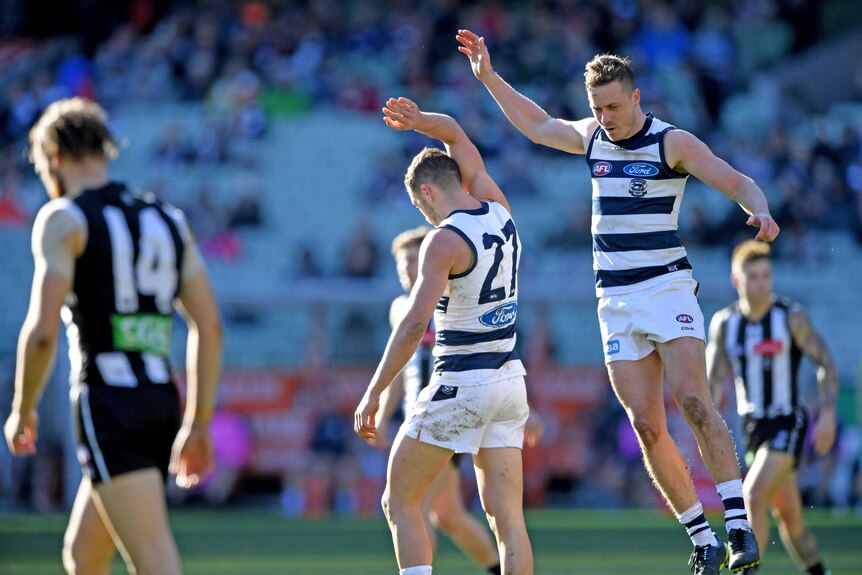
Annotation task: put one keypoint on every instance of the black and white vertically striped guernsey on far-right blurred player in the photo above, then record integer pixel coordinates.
(765, 360)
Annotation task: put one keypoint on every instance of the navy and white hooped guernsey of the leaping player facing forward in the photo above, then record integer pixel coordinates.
(636, 200)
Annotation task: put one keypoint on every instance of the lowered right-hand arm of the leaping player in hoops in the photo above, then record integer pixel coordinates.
(687, 154)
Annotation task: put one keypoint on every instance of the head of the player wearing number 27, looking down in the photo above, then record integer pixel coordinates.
(433, 176)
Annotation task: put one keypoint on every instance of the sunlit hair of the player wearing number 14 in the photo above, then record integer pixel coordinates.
(74, 128)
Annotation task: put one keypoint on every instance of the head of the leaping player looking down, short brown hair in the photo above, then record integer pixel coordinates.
(613, 94)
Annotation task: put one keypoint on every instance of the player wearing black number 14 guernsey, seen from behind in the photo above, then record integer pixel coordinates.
(115, 264)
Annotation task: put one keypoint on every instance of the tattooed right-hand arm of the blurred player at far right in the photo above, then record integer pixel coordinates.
(812, 345)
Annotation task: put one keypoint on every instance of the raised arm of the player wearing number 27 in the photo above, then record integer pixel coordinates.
(404, 114)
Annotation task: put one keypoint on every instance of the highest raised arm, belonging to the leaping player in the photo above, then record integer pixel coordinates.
(526, 115)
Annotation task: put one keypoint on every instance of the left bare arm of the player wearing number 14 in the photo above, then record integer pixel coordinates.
(58, 237)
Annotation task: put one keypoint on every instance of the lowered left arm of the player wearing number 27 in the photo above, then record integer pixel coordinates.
(443, 252)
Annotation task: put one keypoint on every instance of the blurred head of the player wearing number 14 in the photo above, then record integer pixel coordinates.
(69, 132)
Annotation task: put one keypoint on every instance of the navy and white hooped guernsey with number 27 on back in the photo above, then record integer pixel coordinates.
(475, 318)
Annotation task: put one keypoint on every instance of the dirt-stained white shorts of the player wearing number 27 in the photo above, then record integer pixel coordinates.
(469, 418)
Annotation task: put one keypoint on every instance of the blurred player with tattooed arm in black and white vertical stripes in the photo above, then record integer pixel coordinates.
(761, 339)
